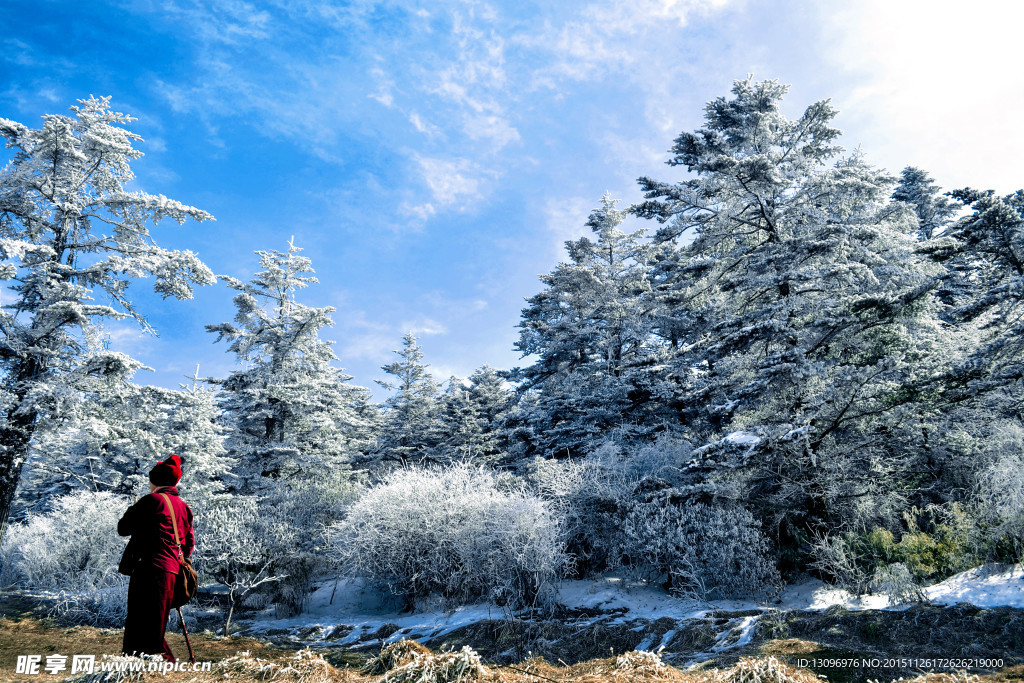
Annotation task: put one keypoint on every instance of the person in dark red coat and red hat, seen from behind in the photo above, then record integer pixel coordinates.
(153, 558)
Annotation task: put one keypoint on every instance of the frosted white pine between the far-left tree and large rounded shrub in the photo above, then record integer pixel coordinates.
(290, 413)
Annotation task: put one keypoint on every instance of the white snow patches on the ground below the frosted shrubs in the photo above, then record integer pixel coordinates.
(348, 612)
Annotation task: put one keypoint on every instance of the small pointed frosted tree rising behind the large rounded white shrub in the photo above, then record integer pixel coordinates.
(413, 424)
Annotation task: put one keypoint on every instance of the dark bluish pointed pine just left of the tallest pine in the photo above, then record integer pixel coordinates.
(589, 330)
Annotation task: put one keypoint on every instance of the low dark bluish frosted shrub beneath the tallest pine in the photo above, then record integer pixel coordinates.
(708, 552)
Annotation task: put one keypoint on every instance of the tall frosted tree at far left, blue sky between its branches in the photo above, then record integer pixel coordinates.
(69, 231)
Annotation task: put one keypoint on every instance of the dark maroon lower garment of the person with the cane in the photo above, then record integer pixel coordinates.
(150, 594)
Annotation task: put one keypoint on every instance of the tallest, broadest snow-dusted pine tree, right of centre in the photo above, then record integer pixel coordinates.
(806, 313)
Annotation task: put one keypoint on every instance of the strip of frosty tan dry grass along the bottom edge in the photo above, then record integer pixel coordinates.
(408, 662)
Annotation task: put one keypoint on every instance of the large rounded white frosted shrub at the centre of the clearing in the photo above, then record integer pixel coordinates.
(452, 532)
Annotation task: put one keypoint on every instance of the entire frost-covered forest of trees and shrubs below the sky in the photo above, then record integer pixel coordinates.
(784, 363)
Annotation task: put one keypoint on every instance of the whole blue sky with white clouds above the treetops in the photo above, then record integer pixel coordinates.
(432, 158)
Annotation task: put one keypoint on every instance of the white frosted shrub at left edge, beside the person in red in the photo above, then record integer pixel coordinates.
(73, 547)
